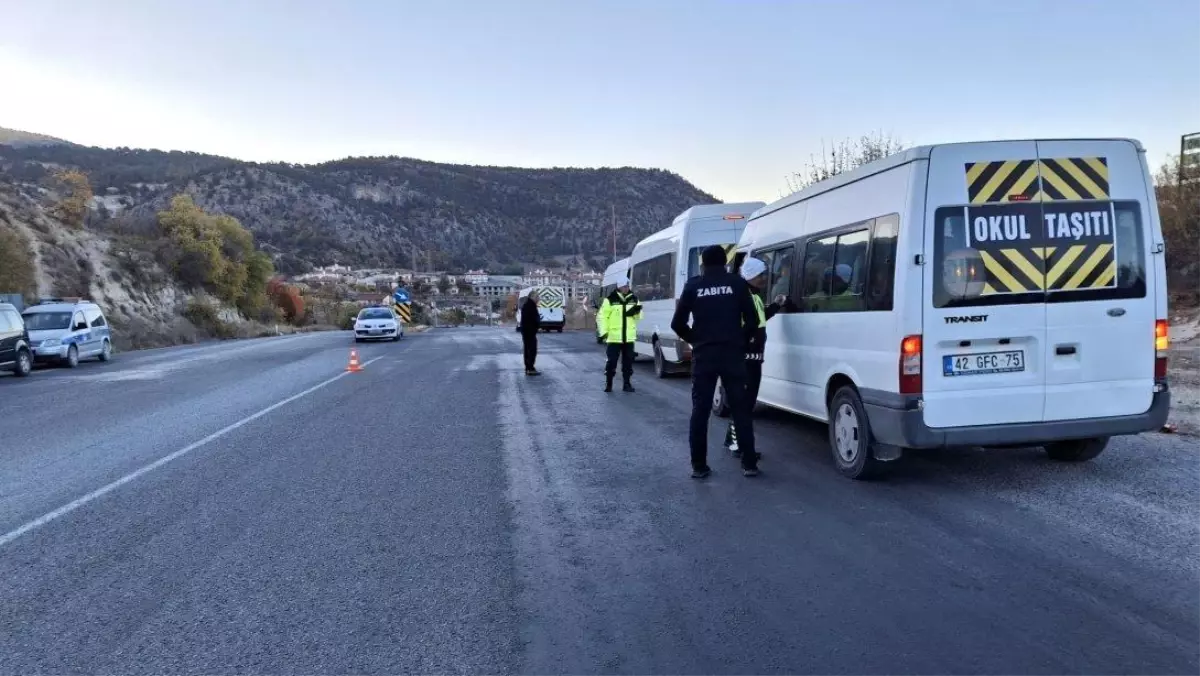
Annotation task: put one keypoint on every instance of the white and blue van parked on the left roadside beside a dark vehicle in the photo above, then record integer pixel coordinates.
(67, 331)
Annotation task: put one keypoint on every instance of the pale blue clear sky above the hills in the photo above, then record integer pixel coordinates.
(734, 95)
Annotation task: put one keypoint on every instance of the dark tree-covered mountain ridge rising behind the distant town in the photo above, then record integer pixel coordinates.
(379, 211)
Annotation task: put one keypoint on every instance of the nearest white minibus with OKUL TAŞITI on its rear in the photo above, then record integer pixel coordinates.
(973, 295)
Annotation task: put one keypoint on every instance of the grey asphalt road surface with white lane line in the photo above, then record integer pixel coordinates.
(248, 509)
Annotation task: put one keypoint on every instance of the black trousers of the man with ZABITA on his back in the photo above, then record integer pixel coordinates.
(729, 368)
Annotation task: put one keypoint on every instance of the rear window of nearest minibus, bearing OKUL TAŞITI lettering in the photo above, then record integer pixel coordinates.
(1039, 253)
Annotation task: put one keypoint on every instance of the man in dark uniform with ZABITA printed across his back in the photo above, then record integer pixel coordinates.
(723, 315)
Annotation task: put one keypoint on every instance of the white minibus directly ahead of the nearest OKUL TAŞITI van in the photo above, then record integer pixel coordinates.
(663, 262)
